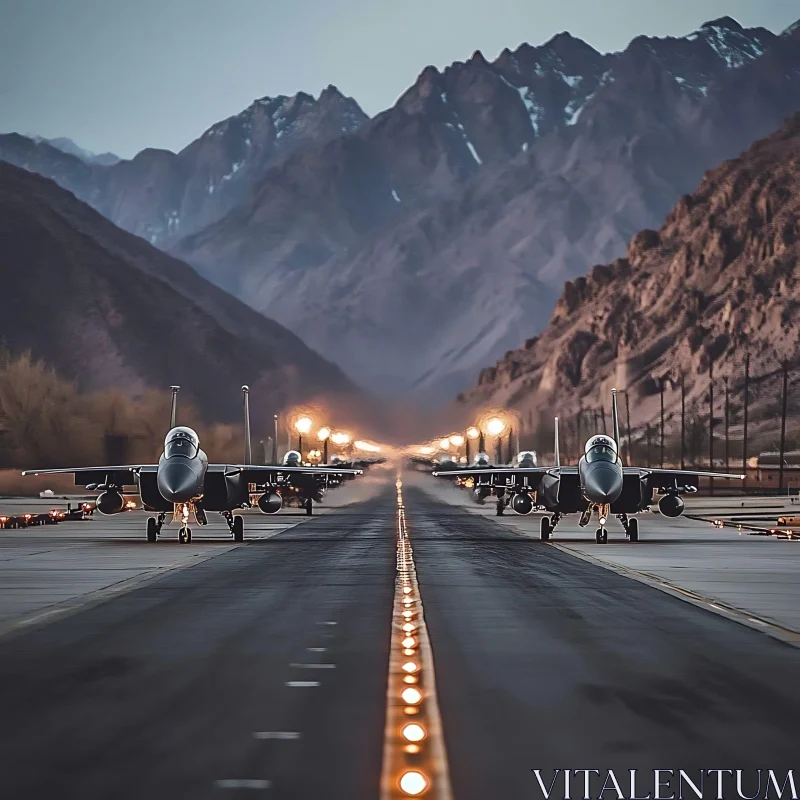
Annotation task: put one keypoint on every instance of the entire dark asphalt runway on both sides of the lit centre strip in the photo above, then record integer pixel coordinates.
(262, 670)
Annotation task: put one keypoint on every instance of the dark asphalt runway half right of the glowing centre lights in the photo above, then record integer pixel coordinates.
(544, 661)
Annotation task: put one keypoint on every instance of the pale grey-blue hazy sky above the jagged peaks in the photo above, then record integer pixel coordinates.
(122, 75)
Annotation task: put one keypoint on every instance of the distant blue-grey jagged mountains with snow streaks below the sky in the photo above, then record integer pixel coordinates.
(417, 246)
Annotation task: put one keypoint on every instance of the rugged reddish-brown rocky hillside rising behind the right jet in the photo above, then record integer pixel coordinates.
(718, 280)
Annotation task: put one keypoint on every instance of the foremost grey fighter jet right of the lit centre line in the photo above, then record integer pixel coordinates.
(598, 484)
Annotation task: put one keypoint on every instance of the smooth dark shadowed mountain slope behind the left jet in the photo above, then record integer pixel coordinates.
(107, 309)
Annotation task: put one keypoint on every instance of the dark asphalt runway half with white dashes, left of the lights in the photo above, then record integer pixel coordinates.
(176, 689)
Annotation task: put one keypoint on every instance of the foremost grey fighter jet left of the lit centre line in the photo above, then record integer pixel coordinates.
(184, 484)
